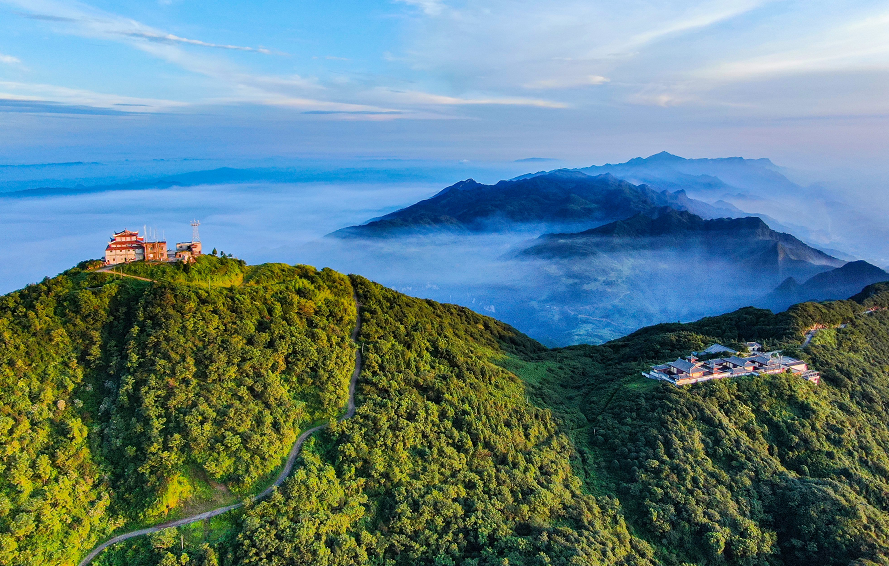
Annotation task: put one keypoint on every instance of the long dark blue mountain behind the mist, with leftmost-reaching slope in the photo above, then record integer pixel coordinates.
(556, 199)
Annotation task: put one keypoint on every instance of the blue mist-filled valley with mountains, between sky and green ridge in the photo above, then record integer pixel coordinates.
(569, 256)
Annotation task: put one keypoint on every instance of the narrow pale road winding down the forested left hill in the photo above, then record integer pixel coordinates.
(288, 466)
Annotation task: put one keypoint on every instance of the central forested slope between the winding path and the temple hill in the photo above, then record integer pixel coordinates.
(445, 462)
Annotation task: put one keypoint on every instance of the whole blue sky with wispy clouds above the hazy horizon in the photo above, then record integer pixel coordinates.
(803, 82)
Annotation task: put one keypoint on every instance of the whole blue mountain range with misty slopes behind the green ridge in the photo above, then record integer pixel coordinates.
(613, 248)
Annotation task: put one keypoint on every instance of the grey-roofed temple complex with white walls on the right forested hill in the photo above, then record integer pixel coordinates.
(685, 371)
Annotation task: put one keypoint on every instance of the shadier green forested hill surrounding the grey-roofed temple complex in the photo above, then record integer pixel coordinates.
(753, 470)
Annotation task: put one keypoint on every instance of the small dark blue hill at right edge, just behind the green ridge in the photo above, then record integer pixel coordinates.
(834, 284)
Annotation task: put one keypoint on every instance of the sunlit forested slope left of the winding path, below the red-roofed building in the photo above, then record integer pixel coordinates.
(123, 402)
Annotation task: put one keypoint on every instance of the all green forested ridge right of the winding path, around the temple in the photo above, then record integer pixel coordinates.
(445, 463)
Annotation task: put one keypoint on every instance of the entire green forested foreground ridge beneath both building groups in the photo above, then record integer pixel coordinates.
(446, 461)
